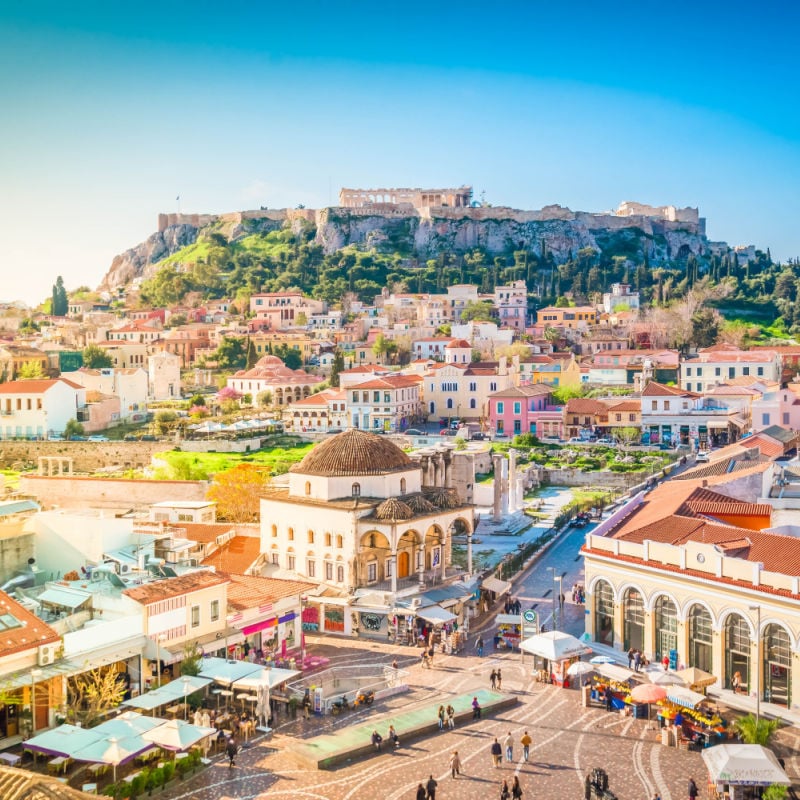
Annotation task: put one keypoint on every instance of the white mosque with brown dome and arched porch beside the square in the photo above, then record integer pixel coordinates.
(360, 517)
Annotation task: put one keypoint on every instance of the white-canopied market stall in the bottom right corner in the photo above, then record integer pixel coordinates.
(741, 771)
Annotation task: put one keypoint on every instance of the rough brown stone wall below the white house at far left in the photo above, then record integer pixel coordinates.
(87, 456)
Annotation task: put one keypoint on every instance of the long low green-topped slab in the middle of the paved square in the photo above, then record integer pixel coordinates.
(328, 750)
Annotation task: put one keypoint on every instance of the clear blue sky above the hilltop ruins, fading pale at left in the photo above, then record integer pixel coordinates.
(110, 111)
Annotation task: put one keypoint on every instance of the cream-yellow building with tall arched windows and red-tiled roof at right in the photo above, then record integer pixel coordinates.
(689, 571)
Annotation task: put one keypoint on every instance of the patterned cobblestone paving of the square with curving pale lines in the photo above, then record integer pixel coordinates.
(568, 741)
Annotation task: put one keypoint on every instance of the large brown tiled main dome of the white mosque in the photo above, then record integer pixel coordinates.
(354, 452)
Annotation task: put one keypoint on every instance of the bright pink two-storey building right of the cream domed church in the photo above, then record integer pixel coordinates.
(525, 409)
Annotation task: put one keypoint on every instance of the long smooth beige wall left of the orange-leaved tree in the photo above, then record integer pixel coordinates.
(116, 493)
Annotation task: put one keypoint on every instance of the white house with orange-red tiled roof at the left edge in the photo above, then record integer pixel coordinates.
(39, 408)
